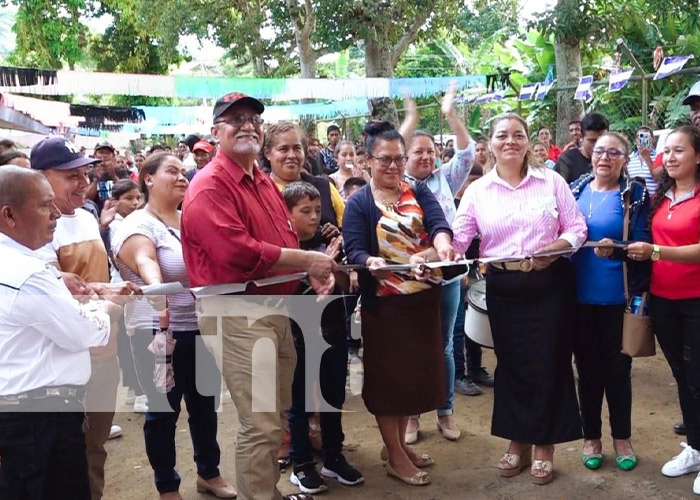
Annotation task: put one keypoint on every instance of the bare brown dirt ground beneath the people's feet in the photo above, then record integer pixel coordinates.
(465, 469)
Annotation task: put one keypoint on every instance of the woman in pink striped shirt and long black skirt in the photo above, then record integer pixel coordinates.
(519, 210)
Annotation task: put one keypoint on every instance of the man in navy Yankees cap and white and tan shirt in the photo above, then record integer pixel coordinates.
(78, 252)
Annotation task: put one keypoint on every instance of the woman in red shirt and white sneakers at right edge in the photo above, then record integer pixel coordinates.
(675, 283)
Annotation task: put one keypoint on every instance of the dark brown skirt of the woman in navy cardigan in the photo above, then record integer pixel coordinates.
(404, 363)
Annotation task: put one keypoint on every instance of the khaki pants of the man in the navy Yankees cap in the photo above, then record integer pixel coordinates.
(100, 401)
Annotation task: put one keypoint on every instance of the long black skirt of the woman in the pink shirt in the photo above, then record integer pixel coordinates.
(531, 316)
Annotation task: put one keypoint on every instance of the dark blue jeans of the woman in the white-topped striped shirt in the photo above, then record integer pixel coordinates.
(191, 365)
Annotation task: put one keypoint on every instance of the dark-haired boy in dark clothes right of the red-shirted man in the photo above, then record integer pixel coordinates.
(304, 204)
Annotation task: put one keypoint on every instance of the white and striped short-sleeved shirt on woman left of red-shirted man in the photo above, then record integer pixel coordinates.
(139, 313)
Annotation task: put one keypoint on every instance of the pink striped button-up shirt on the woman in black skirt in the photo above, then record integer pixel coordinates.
(518, 221)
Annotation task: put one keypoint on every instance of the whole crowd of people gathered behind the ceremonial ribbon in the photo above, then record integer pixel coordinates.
(252, 202)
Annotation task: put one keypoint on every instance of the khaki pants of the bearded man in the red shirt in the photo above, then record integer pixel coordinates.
(258, 363)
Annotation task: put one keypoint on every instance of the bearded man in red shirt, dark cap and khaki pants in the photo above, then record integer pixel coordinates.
(236, 228)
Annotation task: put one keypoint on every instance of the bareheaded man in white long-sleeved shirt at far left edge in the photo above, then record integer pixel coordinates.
(44, 359)
